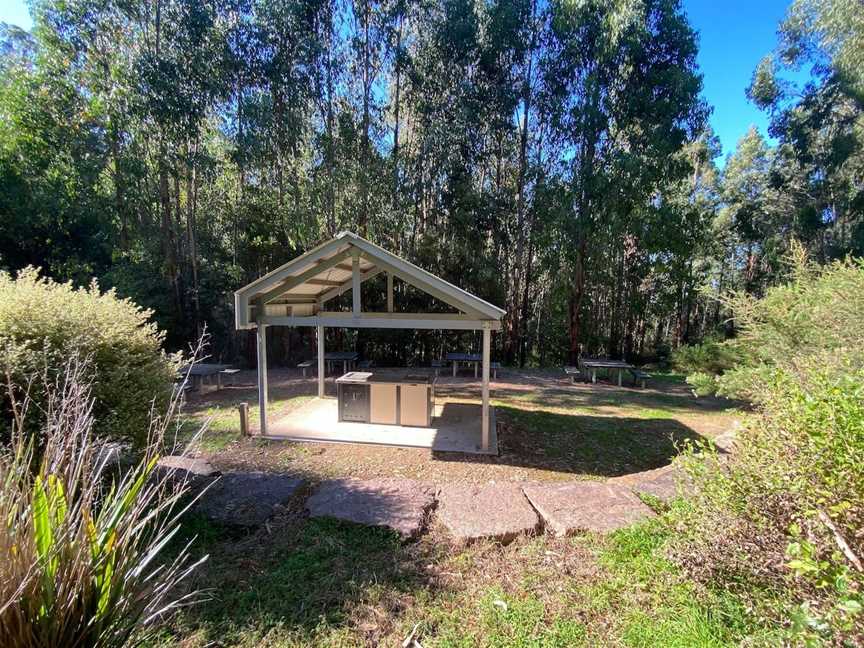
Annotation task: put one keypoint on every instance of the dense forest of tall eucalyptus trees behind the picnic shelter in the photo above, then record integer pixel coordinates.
(550, 156)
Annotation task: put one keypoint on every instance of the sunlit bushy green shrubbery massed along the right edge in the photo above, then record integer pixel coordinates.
(781, 519)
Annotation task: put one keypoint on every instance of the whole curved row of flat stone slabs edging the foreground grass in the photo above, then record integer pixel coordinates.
(469, 512)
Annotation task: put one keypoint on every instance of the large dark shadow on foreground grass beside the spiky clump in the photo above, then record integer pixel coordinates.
(299, 583)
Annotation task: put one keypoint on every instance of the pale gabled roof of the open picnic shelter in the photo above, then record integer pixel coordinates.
(326, 271)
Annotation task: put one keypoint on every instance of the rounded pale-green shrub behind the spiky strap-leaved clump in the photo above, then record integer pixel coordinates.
(44, 323)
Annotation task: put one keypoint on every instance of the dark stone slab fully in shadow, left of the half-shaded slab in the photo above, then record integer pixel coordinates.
(247, 499)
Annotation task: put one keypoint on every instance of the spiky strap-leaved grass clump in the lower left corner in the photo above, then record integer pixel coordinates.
(82, 538)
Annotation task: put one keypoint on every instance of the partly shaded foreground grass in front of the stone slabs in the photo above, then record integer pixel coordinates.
(304, 582)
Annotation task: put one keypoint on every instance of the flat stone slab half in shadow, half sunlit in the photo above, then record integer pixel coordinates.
(400, 504)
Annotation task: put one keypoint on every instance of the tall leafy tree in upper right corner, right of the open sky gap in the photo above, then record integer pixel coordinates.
(819, 165)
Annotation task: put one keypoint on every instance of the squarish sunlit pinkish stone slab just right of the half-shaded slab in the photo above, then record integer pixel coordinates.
(488, 511)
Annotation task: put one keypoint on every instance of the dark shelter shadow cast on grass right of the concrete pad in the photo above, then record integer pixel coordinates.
(601, 446)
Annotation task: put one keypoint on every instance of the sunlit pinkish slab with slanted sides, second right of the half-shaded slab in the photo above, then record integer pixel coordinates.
(585, 506)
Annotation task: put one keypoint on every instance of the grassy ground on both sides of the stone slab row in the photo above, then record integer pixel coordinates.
(298, 581)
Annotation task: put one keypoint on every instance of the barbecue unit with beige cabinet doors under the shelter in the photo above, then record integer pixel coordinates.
(367, 397)
